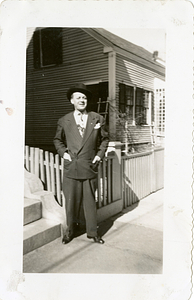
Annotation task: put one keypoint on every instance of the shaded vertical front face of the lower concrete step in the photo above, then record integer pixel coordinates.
(41, 238)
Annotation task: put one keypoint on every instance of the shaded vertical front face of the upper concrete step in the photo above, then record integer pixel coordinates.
(32, 213)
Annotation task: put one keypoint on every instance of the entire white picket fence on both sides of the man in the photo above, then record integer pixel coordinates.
(138, 175)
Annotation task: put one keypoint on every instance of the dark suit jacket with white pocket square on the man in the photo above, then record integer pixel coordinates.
(81, 150)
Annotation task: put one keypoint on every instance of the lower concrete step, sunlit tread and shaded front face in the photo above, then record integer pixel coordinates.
(39, 233)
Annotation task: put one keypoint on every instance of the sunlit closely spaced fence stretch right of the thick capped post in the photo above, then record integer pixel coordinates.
(142, 174)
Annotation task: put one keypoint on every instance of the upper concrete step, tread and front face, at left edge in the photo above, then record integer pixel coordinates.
(32, 210)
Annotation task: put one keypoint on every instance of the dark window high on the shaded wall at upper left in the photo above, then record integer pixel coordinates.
(47, 44)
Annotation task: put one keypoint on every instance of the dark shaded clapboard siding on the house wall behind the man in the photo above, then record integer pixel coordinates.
(46, 102)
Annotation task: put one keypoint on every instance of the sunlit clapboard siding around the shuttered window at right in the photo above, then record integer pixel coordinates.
(130, 73)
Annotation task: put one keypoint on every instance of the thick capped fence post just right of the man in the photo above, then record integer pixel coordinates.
(114, 150)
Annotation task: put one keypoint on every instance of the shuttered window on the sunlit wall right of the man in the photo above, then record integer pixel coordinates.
(137, 103)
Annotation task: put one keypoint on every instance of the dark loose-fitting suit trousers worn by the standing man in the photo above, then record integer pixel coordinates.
(80, 203)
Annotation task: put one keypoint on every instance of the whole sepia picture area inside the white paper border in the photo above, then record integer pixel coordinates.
(94, 151)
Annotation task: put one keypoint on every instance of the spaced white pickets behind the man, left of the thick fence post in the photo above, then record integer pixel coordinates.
(49, 168)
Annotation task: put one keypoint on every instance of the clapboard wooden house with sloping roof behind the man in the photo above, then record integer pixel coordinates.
(123, 77)
